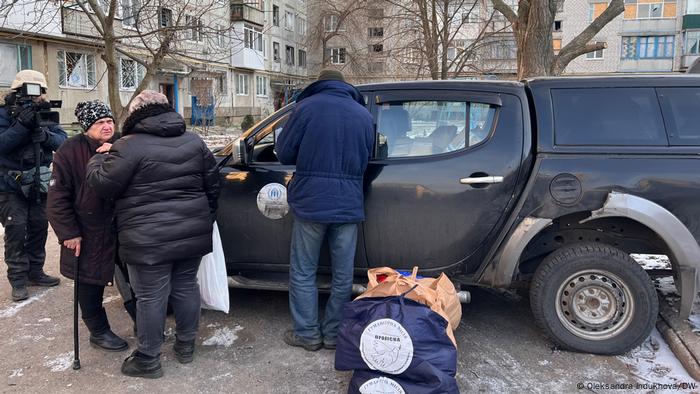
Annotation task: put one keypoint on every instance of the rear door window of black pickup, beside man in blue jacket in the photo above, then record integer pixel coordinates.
(423, 128)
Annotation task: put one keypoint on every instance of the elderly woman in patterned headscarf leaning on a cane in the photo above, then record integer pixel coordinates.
(83, 221)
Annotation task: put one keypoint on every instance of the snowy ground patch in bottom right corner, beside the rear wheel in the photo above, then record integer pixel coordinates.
(654, 362)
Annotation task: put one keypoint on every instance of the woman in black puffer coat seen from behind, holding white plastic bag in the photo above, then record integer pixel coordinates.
(165, 184)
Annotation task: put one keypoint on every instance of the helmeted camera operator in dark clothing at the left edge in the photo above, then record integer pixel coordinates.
(22, 207)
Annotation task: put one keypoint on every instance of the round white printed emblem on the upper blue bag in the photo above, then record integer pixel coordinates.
(386, 346)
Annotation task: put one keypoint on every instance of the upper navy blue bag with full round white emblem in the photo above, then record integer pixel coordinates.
(395, 336)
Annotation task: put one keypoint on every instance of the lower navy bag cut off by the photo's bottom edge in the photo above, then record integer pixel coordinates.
(371, 382)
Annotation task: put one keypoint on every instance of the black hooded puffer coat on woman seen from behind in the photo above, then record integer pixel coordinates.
(165, 184)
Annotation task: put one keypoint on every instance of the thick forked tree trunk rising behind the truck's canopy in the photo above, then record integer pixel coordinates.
(532, 28)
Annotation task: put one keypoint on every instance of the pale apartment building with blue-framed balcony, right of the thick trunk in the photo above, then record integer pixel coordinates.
(651, 36)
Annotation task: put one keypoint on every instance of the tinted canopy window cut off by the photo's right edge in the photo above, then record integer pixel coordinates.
(680, 106)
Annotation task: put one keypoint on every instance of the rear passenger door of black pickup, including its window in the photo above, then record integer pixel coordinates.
(446, 167)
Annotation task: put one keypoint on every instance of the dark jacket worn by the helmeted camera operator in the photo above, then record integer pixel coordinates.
(17, 149)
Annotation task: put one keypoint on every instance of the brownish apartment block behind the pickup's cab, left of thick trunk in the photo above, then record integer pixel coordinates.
(383, 42)
